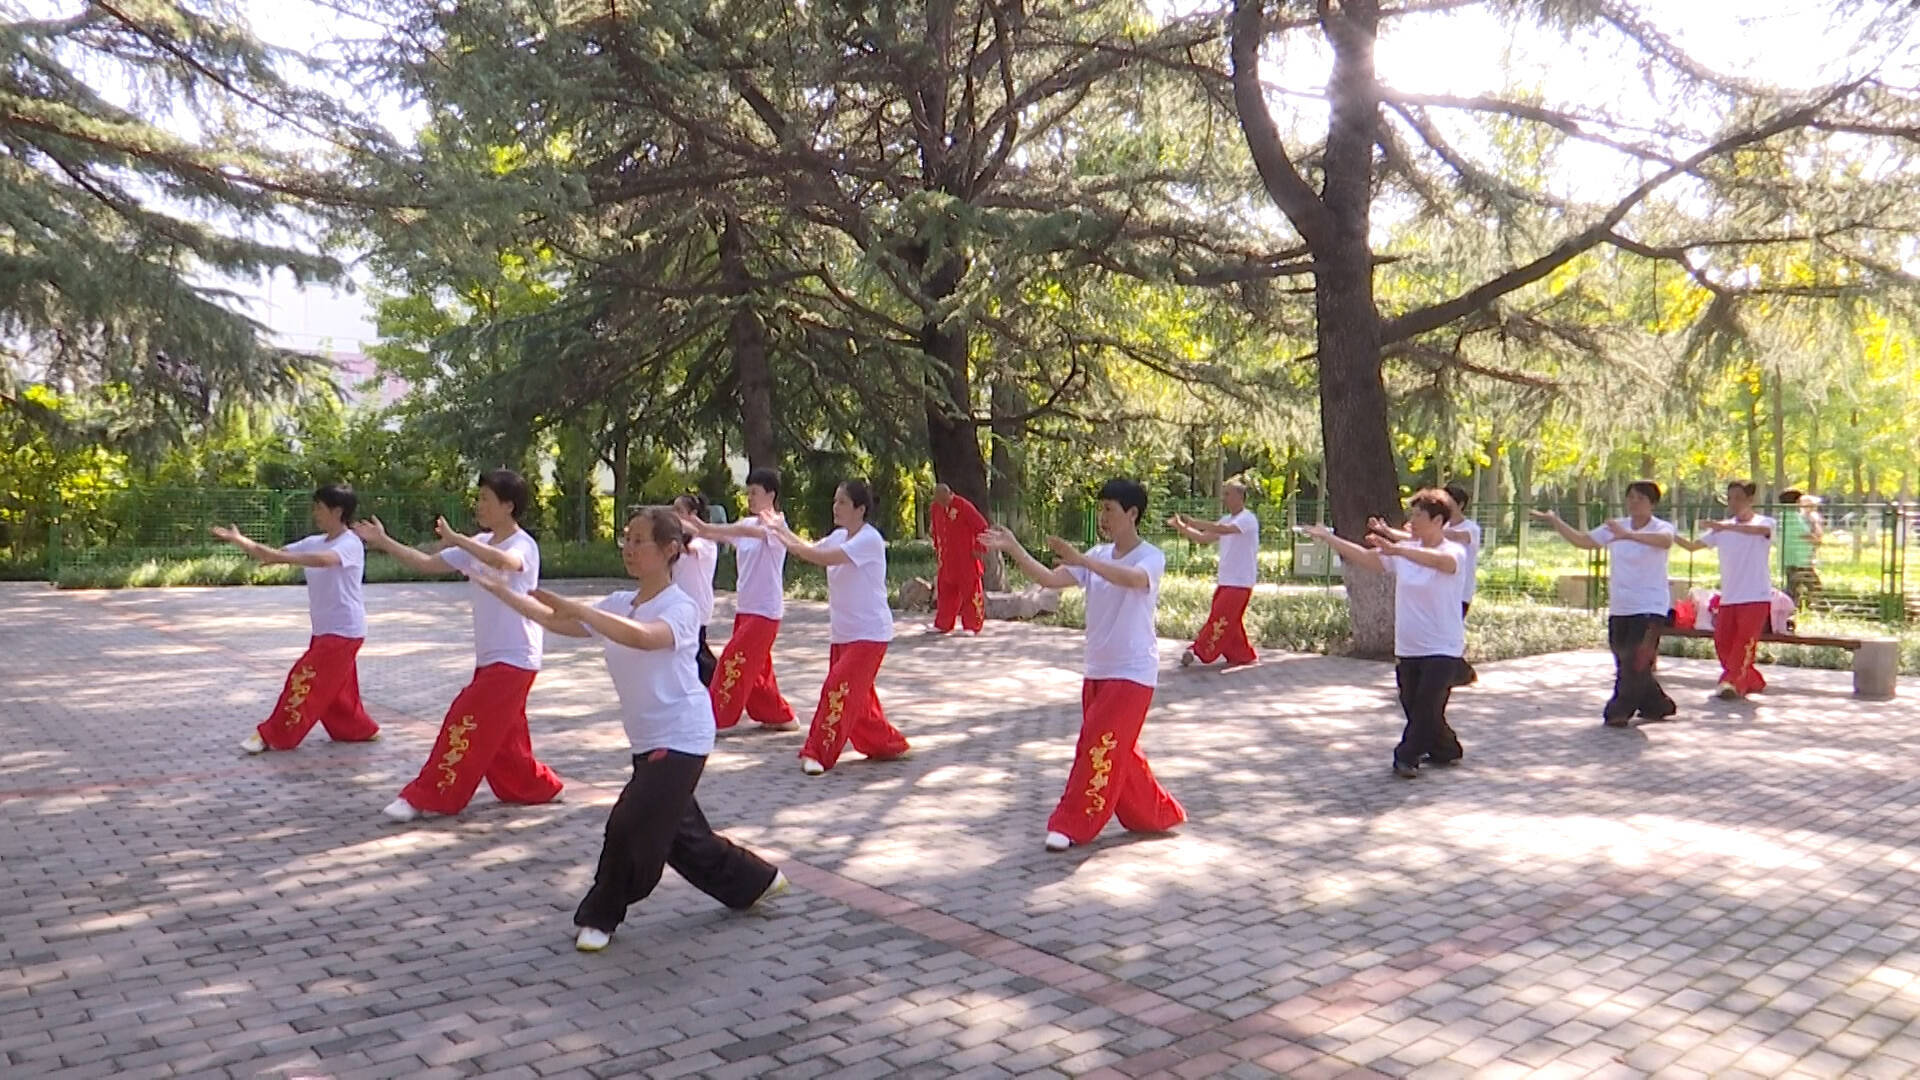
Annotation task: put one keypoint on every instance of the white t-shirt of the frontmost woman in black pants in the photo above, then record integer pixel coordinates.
(663, 704)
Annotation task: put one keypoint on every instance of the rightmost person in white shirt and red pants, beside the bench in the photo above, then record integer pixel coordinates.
(1746, 545)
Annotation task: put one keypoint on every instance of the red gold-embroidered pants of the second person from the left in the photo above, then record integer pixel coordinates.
(485, 739)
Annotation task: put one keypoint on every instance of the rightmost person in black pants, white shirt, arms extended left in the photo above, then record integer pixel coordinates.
(1639, 601)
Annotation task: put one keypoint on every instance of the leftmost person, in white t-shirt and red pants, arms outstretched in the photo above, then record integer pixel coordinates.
(324, 685)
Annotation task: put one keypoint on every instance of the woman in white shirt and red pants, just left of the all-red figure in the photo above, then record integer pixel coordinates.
(855, 556)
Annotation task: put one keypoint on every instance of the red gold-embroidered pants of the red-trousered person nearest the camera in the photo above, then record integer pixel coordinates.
(1111, 775)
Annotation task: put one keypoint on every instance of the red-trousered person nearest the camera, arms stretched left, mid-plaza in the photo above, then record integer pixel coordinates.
(1122, 579)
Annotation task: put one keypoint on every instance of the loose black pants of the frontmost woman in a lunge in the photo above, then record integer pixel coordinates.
(658, 825)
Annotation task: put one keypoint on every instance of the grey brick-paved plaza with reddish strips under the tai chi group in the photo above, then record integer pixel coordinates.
(1733, 895)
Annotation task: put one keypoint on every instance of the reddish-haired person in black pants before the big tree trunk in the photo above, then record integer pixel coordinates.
(1429, 626)
